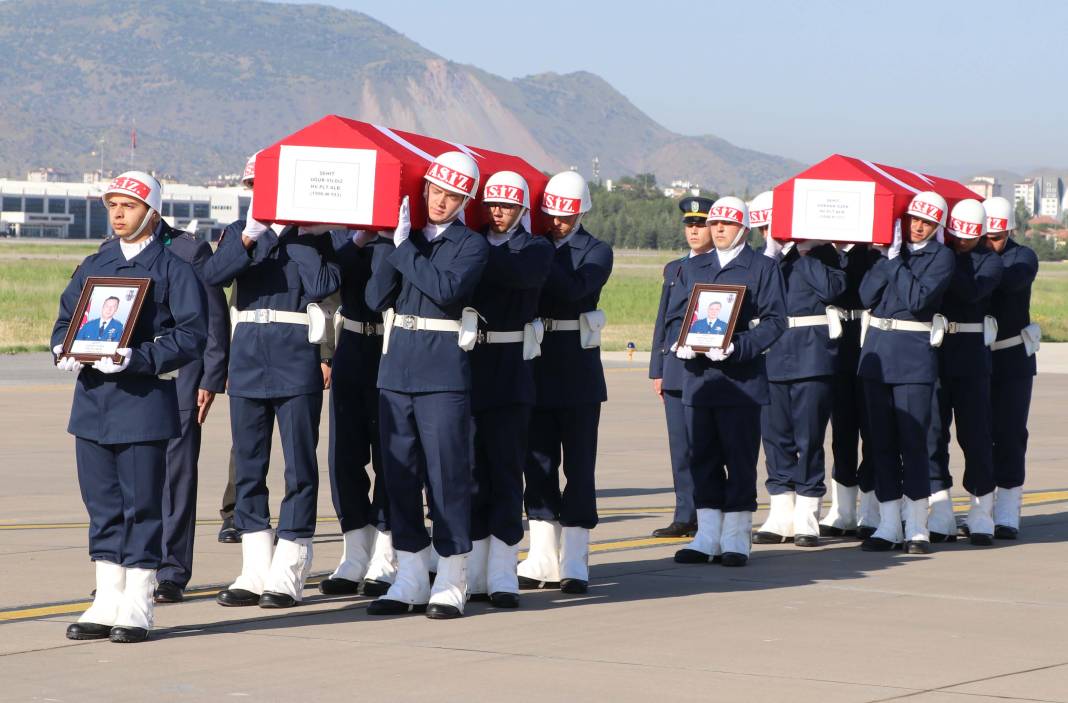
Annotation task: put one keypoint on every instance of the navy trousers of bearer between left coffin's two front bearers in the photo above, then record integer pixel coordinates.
(354, 445)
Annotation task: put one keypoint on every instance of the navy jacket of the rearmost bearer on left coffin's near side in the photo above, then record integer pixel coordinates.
(567, 374)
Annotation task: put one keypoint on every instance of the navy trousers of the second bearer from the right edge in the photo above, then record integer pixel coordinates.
(964, 402)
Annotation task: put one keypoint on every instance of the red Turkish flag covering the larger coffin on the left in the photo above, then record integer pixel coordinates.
(341, 171)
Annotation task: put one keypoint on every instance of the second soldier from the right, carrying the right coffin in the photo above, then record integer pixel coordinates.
(963, 394)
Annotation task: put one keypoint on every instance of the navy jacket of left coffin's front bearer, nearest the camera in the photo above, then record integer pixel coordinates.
(430, 279)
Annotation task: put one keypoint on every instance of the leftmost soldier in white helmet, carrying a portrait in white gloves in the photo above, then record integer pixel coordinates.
(124, 414)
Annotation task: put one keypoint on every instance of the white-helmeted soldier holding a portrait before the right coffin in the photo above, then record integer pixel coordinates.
(725, 389)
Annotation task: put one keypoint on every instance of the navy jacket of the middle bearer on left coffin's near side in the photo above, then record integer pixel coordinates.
(508, 298)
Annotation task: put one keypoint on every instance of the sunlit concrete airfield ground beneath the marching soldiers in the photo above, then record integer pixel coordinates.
(829, 624)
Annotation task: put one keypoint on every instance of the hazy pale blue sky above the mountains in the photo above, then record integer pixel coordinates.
(946, 86)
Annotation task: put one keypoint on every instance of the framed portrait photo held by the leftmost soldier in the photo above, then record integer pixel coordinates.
(105, 318)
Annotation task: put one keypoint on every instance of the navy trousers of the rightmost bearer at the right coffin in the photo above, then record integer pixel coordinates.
(1012, 397)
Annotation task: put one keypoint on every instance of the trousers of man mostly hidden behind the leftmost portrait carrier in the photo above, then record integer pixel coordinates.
(180, 502)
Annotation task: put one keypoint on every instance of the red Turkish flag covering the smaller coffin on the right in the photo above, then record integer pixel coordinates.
(846, 199)
